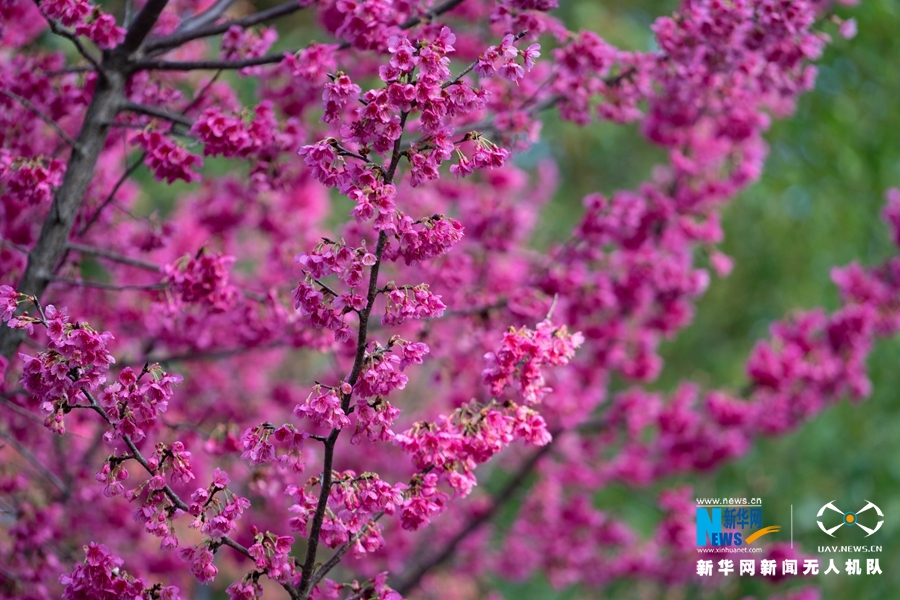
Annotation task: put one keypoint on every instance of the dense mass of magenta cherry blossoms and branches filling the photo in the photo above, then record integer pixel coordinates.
(286, 379)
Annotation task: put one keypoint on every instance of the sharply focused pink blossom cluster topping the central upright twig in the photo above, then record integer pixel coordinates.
(418, 80)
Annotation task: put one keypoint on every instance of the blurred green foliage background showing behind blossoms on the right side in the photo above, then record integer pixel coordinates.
(816, 206)
